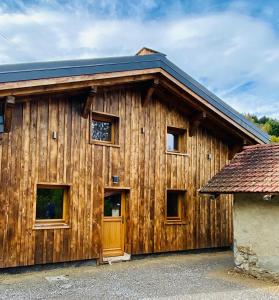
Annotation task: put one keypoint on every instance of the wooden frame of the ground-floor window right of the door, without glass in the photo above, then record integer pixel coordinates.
(181, 207)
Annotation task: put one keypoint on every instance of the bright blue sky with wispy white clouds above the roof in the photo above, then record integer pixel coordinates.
(231, 47)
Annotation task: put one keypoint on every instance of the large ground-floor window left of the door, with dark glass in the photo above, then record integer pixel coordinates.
(51, 205)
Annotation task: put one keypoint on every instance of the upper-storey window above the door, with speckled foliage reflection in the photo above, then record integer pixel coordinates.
(104, 128)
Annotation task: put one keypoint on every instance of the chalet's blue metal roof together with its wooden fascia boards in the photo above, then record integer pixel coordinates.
(27, 79)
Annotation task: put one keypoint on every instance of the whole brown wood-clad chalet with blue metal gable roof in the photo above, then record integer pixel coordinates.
(104, 156)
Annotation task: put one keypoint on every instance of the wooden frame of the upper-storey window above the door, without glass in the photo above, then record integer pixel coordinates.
(115, 124)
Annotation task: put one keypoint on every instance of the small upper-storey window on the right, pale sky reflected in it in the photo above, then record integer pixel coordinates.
(176, 139)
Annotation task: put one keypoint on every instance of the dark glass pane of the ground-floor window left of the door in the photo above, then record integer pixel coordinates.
(49, 203)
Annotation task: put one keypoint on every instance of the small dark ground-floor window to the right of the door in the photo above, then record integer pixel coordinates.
(175, 205)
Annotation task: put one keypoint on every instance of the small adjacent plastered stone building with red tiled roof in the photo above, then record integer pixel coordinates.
(253, 178)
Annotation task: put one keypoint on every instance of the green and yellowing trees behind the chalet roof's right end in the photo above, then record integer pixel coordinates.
(269, 125)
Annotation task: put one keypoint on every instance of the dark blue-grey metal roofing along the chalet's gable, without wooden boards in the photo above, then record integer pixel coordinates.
(44, 70)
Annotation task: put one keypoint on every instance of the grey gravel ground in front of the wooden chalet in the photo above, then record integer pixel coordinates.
(175, 276)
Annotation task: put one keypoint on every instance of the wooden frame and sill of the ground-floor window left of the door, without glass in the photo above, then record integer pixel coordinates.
(53, 223)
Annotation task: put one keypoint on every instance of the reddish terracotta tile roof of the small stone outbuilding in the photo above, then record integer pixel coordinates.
(255, 169)
